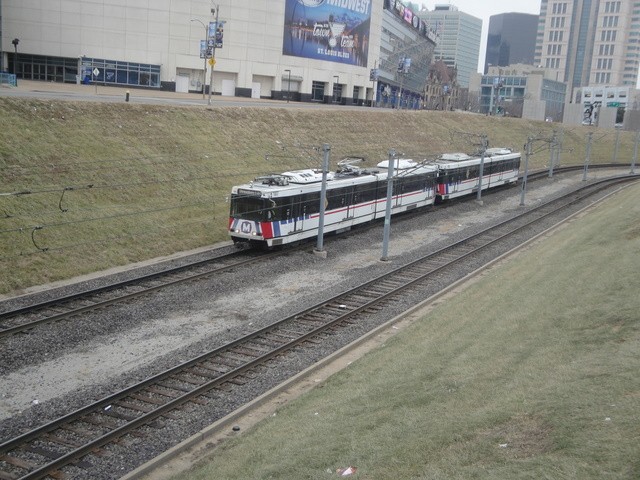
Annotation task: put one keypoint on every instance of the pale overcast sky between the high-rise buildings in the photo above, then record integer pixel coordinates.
(483, 9)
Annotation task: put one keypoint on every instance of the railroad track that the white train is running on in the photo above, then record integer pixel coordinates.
(29, 317)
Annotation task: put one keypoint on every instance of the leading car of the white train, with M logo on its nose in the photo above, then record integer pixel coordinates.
(281, 209)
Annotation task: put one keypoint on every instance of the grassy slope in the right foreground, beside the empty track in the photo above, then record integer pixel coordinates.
(529, 373)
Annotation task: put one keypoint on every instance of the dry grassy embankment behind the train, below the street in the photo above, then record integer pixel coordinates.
(104, 185)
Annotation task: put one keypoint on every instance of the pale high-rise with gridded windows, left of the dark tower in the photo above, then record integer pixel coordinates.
(459, 39)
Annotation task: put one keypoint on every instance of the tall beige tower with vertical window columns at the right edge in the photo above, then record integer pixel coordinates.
(590, 42)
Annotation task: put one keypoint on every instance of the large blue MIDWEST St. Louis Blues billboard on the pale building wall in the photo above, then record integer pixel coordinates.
(333, 30)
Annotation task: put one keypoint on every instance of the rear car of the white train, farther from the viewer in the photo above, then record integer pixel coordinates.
(459, 173)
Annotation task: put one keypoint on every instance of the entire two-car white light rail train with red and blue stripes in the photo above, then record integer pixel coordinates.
(284, 208)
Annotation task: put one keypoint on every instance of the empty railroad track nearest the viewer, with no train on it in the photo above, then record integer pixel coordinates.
(66, 444)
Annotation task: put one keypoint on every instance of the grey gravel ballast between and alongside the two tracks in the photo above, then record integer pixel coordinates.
(63, 366)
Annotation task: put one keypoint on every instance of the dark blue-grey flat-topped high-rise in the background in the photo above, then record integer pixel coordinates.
(511, 39)
